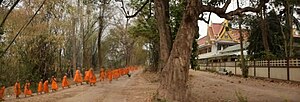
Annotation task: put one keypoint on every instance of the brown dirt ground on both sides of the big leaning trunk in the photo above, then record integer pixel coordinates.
(204, 86)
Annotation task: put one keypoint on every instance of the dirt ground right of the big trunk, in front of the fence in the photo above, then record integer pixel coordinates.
(209, 87)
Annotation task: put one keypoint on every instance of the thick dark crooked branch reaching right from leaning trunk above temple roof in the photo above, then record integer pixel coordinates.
(221, 12)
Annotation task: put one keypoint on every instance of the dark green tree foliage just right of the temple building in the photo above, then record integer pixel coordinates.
(275, 36)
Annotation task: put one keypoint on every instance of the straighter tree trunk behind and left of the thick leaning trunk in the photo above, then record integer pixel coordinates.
(162, 19)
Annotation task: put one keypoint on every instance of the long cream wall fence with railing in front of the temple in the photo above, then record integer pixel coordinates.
(285, 69)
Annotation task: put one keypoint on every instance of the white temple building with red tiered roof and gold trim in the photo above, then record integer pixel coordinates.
(221, 40)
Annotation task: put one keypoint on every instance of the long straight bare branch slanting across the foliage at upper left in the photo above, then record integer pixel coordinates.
(23, 27)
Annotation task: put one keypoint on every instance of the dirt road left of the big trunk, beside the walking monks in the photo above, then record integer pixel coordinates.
(117, 91)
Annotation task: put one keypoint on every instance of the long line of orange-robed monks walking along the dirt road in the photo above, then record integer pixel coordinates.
(89, 77)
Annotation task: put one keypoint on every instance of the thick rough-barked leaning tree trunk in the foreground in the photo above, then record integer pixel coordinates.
(173, 85)
